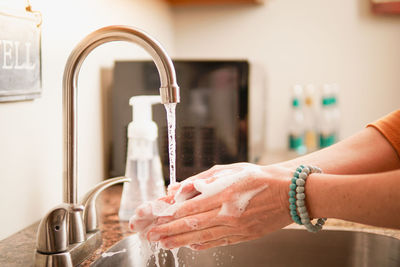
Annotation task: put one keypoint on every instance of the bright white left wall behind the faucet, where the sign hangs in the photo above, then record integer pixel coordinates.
(31, 131)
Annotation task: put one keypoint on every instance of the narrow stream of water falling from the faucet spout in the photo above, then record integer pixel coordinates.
(171, 120)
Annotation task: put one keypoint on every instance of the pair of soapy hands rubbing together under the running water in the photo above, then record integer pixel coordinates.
(231, 204)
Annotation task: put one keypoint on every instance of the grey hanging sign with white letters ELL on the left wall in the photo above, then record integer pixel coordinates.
(20, 56)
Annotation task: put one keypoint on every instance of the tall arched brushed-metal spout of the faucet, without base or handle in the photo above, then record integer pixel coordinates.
(169, 89)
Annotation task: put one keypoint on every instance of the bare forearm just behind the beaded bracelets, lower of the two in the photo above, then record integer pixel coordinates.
(369, 198)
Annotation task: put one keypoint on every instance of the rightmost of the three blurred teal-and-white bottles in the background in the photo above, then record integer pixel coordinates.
(327, 134)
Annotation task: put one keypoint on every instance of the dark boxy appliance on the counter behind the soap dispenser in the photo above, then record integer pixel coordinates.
(211, 119)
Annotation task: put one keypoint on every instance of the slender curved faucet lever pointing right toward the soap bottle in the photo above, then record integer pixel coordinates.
(89, 202)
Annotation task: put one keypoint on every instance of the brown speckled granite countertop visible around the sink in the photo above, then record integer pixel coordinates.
(18, 250)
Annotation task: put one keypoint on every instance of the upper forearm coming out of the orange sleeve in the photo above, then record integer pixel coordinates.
(365, 152)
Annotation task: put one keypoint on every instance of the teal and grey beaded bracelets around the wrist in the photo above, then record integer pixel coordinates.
(297, 206)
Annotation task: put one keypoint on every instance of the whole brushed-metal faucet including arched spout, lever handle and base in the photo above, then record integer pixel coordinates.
(69, 232)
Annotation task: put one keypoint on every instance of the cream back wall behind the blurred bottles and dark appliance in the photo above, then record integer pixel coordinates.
(315, 41)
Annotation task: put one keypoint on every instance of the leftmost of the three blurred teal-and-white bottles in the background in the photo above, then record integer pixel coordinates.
(297, 122)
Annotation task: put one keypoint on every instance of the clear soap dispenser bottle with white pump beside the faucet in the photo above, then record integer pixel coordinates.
(143, 164)
